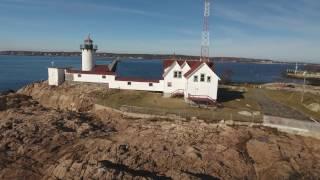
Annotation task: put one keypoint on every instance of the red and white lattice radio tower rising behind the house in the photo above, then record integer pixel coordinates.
(205, 33)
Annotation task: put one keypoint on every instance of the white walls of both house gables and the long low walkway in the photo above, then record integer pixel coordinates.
(188, 85)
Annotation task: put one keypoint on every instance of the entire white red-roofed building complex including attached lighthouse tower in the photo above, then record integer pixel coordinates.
(195, 80)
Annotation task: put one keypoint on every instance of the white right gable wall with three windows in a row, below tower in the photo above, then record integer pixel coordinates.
(203, 88)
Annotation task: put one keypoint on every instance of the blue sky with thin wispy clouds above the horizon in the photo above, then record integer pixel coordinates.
(286, 30)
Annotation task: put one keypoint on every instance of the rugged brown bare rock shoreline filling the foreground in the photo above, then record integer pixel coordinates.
(53, 133)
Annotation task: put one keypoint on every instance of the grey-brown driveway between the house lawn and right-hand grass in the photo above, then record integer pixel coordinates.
(273, 108)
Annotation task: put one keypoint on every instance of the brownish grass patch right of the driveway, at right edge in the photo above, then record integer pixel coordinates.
(293, 99)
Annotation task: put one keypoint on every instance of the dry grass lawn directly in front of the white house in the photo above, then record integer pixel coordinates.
(154, 103)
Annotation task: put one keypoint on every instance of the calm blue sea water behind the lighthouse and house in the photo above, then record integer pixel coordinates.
(17, 71)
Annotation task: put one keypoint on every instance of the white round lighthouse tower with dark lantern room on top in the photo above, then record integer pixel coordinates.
(88, 50)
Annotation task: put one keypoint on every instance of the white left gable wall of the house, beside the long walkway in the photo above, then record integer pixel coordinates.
(177, 83)
